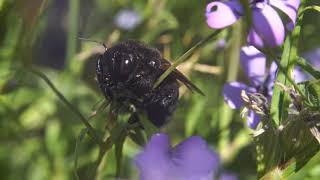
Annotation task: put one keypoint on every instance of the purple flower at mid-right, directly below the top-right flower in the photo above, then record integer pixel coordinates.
(253, 63)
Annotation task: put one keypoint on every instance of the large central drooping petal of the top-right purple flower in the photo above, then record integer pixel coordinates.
(267, 23)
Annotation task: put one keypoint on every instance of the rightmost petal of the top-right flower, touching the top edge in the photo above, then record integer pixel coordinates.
(290, 8)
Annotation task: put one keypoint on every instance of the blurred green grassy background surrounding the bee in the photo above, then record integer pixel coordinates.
(38, 133)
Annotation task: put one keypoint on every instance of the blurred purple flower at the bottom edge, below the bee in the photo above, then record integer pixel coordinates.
(192, 159)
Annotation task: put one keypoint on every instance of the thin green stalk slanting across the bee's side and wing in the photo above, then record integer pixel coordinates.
(184, 57)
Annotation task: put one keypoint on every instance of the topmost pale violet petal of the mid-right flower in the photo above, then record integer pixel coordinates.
(253, 63)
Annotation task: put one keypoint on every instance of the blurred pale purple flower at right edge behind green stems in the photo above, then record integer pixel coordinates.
(313, 57)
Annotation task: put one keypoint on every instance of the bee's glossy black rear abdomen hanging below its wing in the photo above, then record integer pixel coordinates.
(161, 104)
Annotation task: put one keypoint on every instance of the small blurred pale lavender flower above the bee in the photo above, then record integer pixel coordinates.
(127, 19)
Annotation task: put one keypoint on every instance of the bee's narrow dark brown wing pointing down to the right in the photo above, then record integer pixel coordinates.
(165, 64)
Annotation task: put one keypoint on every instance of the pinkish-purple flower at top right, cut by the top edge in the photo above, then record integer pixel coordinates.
(267, 26)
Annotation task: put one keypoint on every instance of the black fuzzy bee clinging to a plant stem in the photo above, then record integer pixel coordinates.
(126, 74)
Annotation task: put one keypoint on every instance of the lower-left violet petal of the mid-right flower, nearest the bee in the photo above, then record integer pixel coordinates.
(232, 94)
